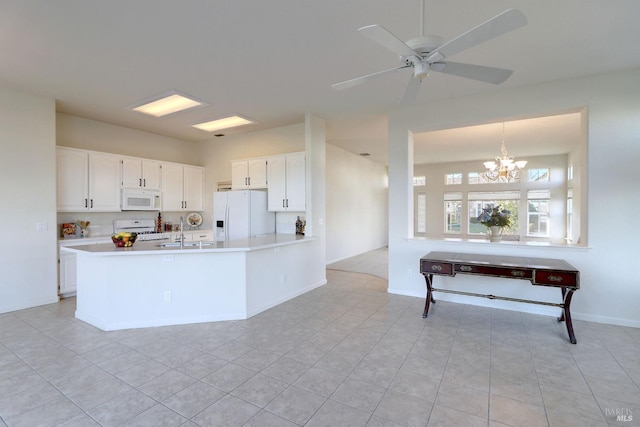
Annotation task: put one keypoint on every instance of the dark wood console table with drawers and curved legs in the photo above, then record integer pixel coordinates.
(539, 271)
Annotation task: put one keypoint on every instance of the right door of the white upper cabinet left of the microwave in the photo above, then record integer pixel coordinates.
(104, 183)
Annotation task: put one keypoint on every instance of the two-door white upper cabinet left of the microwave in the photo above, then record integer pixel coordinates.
(87, 181)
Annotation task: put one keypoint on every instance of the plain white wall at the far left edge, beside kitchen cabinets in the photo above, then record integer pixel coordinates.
(28, 196)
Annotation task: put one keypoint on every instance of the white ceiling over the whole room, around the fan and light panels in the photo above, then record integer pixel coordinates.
(273, 61)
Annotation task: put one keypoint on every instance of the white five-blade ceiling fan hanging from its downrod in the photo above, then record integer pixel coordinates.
(429, 53)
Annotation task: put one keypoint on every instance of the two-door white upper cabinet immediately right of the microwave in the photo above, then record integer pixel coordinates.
(182, 187)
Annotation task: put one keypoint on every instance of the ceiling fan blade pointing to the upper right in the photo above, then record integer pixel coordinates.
(509, 20)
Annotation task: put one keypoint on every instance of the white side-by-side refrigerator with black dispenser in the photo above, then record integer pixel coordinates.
(241, 214)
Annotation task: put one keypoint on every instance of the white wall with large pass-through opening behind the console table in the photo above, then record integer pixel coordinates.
(610, 288)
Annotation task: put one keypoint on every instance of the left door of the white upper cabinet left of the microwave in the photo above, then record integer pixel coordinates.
(72, 180)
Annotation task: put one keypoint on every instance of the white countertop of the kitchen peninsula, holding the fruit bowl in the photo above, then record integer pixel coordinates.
(154, 247)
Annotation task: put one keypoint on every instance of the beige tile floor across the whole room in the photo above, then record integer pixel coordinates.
(345, 354)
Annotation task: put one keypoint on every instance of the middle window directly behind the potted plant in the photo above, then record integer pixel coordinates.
(505, 199)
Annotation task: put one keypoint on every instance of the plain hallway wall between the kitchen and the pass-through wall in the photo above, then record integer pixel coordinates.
(356, 204)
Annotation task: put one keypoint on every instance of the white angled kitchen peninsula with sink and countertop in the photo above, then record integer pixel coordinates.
(154, 285)
